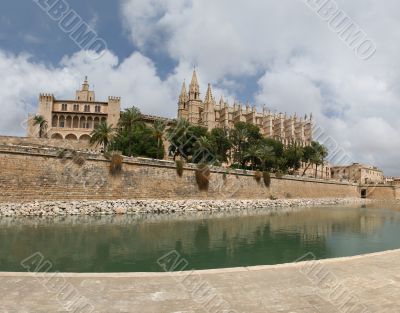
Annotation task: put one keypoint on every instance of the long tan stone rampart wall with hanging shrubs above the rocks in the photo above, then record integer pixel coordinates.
(38, 173)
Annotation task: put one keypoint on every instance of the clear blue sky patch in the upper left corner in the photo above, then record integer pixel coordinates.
(25, 28)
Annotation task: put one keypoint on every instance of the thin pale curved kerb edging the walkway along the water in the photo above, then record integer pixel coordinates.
(202, 272)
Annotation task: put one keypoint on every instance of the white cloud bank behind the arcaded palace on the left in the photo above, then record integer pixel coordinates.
(134, 79)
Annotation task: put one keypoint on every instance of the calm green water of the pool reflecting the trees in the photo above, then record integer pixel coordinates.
(133, 244)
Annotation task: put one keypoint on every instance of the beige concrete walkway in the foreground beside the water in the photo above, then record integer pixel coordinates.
(369, 283)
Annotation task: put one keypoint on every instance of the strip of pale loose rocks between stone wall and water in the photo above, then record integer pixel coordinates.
(62, 208)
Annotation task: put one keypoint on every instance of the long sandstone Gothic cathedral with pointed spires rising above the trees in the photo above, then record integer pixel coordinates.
(210, 114)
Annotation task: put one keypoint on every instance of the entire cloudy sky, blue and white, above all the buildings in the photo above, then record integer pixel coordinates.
(284, 54)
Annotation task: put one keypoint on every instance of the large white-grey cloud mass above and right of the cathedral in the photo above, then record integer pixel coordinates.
(300, 64)
